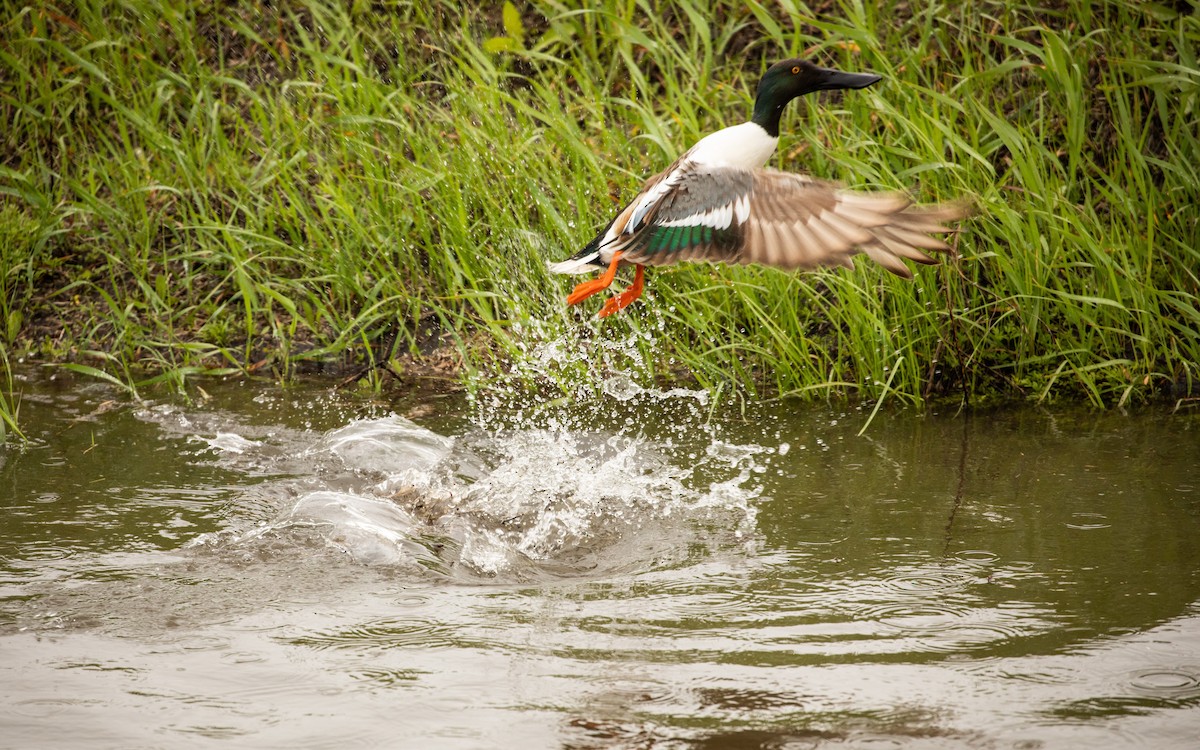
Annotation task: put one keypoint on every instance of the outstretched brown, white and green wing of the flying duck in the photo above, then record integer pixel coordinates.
(778, 219)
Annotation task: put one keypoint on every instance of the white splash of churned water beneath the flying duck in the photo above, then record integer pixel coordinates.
(616, 475)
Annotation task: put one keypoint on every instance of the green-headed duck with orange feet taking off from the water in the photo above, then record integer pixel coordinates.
(718, 203)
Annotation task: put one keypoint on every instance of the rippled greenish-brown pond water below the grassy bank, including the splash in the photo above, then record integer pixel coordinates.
(299, 568)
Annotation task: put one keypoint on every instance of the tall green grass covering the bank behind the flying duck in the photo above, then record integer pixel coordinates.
(190, 190)
